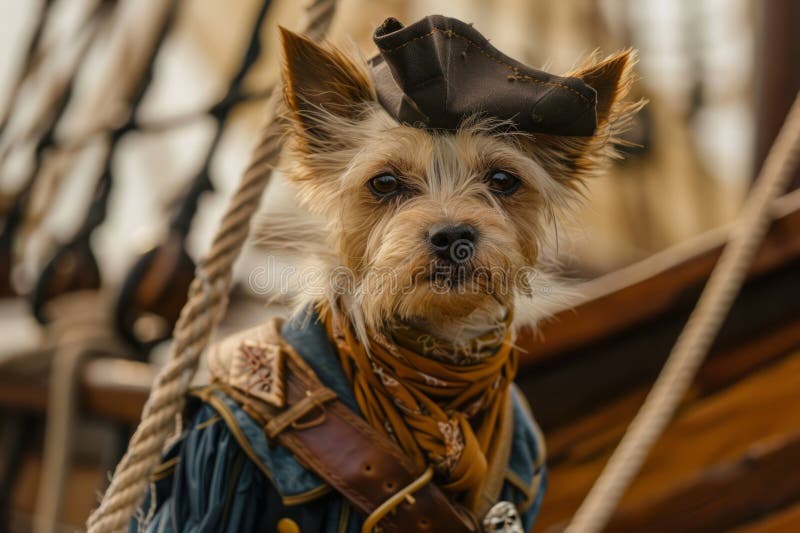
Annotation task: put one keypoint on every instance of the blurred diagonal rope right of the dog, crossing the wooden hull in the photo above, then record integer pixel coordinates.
(704, 323)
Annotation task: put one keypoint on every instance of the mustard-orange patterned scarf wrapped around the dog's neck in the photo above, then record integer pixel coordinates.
(441, 414)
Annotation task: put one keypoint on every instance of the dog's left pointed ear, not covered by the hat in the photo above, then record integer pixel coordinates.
(320, 86)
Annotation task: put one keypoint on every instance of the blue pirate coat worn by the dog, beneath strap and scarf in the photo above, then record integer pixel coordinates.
(223, 475)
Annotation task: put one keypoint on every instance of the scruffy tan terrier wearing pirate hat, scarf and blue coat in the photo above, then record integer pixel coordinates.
(427, 180)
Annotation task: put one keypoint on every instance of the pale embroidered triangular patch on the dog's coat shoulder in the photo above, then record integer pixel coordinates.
(252, 362)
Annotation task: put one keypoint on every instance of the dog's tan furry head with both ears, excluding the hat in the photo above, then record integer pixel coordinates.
(431, 225)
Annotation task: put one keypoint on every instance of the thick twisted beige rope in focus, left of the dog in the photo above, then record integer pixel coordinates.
(206, 304)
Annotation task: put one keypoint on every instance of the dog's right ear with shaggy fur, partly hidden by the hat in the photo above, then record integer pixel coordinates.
(575, 159)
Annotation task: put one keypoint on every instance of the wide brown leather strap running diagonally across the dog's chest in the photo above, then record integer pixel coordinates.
(363, 465)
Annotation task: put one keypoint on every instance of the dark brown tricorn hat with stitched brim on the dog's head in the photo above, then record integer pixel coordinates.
(439, 71)
